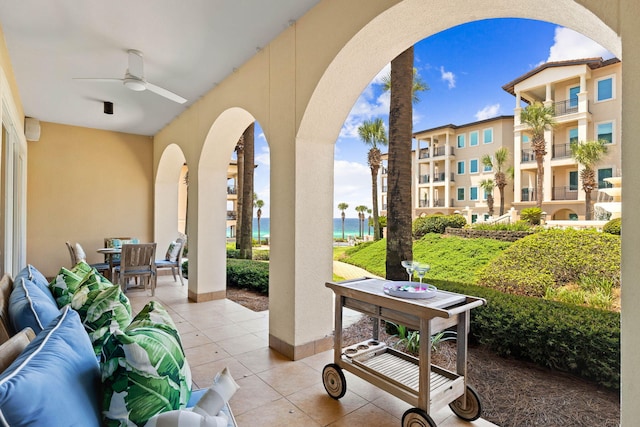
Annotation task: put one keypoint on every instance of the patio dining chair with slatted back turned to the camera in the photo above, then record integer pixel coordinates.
(137, 261)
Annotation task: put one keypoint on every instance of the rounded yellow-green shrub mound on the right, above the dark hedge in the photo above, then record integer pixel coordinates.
(553, 258)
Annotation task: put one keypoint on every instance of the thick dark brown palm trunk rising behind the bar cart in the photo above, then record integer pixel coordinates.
(399, 238)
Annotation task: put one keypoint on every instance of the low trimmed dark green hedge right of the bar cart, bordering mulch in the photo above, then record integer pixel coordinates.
(579, 340)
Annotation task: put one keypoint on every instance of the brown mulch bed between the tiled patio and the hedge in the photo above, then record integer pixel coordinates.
(514, 393)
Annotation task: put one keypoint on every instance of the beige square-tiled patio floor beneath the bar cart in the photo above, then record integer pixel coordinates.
(274, 391)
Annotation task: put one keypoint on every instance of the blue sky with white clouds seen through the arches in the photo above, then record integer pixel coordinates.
(465, 68)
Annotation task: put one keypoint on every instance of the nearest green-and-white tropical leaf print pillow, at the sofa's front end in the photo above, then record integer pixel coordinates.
(144, 369)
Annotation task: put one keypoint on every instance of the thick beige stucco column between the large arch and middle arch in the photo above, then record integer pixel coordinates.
(301, 225)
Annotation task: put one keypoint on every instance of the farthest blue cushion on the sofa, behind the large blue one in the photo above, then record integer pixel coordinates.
(29, 306)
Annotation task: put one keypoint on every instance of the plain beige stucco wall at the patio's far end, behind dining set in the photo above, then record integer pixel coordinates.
(85, 185)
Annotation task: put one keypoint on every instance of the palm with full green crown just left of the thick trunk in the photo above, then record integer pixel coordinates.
(373, 134)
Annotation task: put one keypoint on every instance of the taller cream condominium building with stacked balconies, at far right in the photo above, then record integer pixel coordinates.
(586, 97)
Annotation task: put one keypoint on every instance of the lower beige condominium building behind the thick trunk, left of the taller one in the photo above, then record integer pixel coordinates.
(447, 168)
